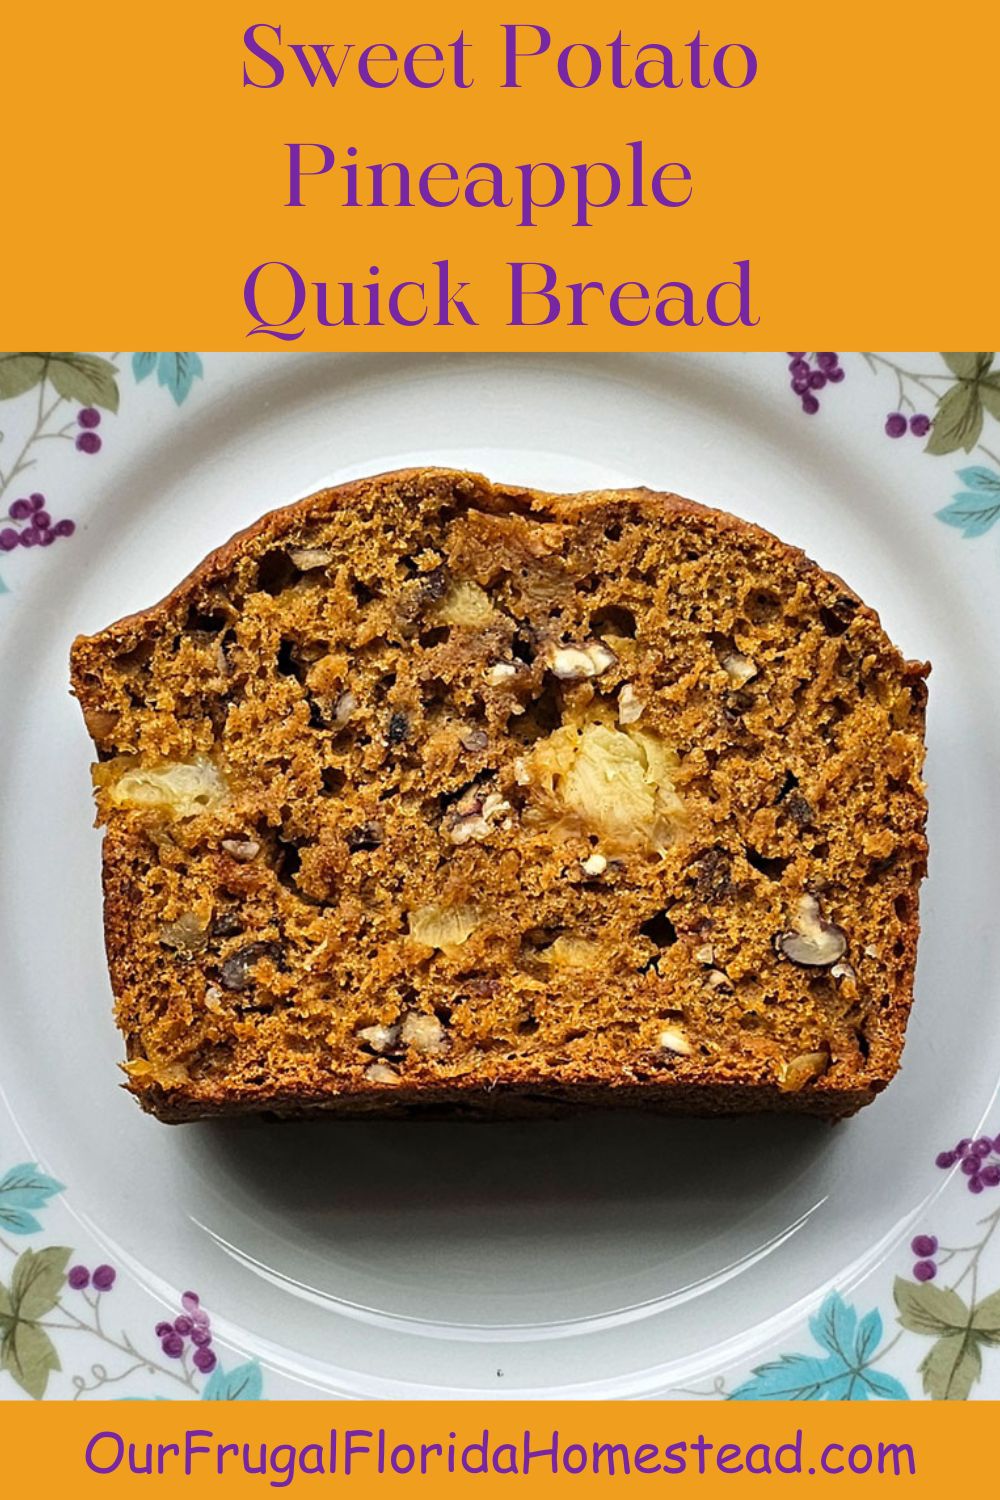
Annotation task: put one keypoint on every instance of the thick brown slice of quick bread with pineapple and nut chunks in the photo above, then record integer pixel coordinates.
(428, 791)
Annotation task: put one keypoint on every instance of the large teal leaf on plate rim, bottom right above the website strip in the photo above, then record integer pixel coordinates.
(843, 1375)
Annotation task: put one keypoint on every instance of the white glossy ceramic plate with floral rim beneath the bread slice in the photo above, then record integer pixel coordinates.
(605, 1256)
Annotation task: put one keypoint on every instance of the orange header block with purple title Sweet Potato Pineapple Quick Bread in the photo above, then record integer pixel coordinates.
(564, 176)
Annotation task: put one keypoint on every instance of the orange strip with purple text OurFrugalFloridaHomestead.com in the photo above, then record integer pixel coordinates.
(494, 1448)
